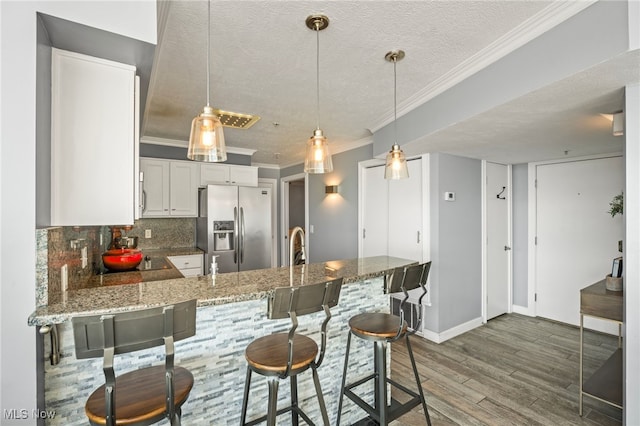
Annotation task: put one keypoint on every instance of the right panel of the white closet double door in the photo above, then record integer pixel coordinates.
(405, 214)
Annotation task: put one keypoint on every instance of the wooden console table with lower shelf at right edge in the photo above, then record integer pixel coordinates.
(606, 383)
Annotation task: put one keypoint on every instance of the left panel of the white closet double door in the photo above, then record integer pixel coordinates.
(375, 212)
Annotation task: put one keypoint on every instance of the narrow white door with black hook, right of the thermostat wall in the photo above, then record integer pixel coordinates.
(498, 249)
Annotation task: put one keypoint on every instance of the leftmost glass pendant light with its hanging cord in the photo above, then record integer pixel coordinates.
(206, 141)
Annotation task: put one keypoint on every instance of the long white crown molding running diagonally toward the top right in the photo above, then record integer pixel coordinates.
(549, 17)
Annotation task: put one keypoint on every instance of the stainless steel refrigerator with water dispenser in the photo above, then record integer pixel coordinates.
(234, 224)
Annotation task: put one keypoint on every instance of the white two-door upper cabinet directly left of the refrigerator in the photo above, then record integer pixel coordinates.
(169, 188)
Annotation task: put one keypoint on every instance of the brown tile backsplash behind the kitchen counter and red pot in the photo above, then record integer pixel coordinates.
(64, 246)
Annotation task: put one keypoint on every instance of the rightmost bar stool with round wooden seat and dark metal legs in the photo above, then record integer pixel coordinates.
(381, 329)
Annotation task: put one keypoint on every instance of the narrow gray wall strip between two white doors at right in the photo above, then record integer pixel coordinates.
(519, 188)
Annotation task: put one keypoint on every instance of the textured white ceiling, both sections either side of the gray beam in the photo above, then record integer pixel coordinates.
(263, 62)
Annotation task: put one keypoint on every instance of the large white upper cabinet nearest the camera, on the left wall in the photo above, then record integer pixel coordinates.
(93, 153)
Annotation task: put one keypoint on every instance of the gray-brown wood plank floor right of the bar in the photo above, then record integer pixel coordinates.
(515, 370)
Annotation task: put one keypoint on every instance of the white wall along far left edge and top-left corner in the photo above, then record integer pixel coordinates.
(135, 19)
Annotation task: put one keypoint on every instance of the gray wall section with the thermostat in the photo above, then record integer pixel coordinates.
(456, 242)
